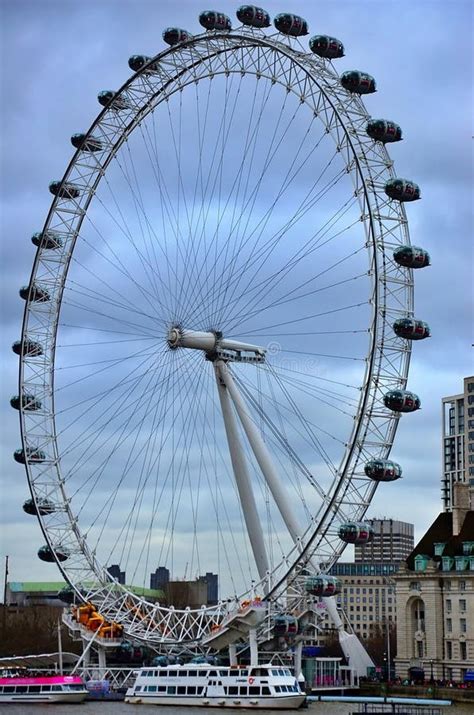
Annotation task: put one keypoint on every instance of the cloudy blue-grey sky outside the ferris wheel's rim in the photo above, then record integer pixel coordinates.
(56, 57)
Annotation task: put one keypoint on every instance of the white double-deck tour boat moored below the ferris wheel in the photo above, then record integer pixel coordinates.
(262, 686)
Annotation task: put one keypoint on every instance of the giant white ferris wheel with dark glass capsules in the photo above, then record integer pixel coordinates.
(218, 325)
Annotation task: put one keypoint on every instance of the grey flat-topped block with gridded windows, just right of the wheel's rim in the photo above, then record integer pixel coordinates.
(393, 541)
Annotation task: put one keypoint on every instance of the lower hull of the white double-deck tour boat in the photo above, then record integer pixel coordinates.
(282, 702)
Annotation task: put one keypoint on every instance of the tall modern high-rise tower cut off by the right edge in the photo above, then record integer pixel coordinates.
(458, 443)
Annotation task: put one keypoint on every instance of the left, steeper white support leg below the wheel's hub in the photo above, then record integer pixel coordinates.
(242, 478)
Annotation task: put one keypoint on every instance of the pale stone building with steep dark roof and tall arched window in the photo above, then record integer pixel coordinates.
(435, 597)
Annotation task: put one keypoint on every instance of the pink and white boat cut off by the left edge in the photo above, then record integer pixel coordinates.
(45, 689)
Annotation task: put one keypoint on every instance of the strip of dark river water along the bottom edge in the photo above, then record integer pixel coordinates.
(120, 708)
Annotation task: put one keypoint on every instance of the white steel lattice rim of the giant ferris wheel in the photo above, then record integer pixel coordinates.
(313, 83)
